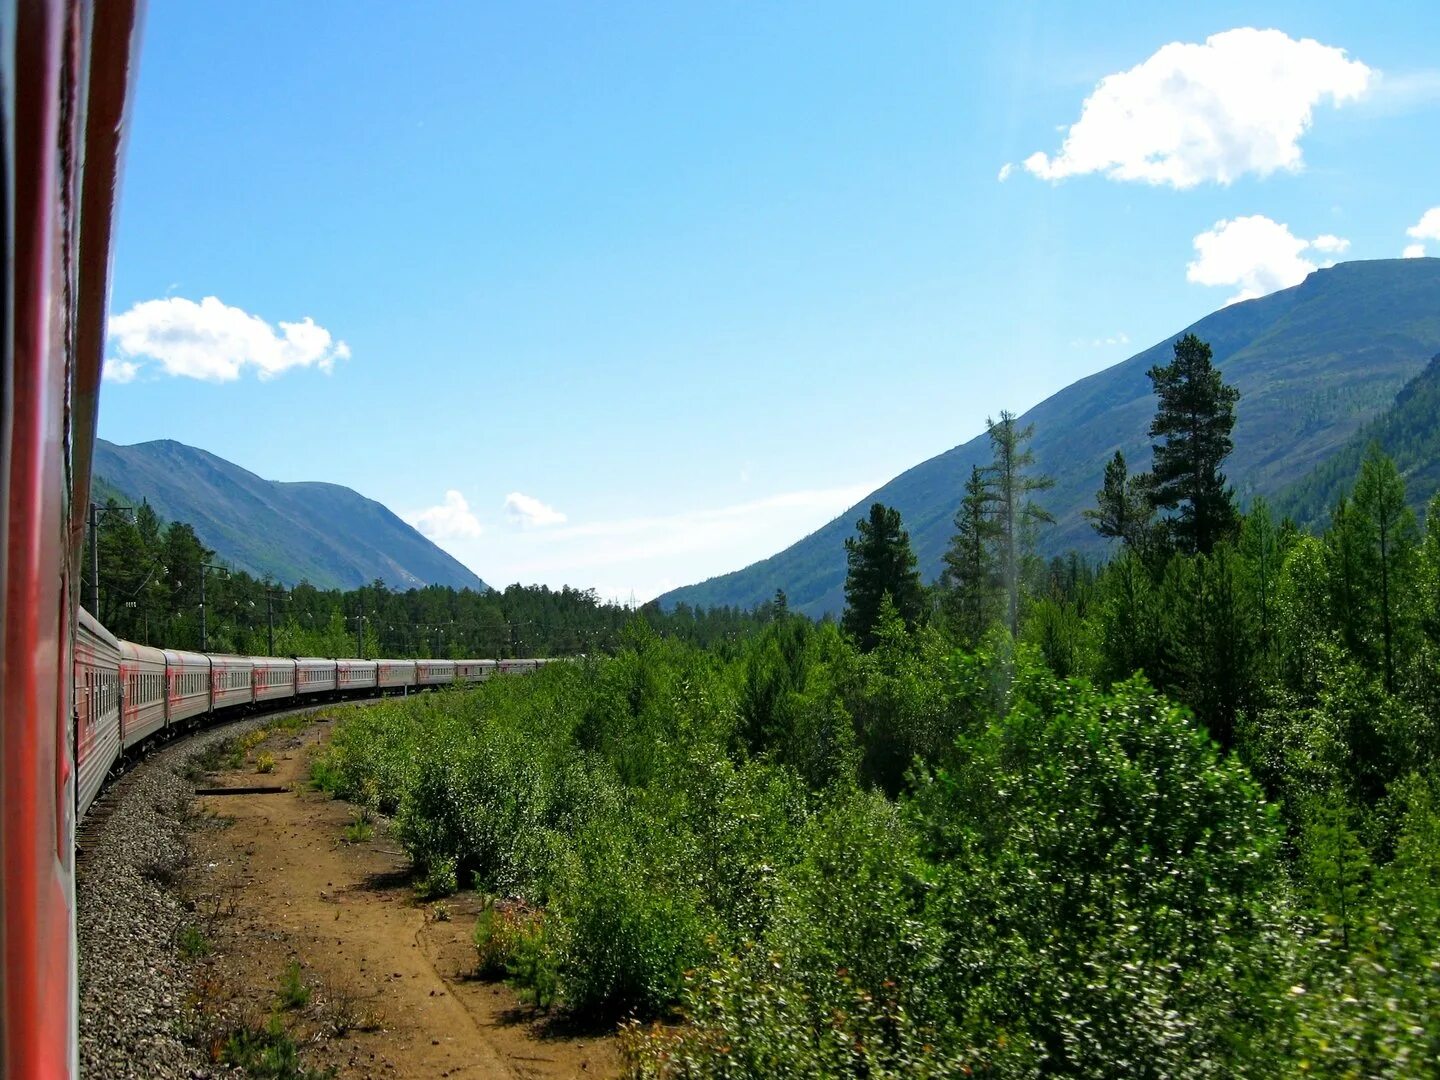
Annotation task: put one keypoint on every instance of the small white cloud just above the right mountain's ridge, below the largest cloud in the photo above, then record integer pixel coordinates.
(1256, 256)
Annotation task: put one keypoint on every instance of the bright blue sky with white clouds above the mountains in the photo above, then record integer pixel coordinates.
(626, 296)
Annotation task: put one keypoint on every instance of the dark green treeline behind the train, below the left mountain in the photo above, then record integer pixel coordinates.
(150, 593)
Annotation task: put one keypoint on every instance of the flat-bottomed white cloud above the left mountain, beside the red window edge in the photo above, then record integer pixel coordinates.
(217, 342)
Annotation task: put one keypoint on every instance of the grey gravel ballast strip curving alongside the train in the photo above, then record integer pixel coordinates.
(133, 981)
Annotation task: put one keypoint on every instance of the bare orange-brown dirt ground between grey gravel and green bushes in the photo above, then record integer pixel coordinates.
(276, 883)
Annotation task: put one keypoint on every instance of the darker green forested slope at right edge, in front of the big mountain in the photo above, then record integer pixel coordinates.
(1409, 431)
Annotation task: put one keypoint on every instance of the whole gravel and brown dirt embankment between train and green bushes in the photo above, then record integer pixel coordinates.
(263, 925)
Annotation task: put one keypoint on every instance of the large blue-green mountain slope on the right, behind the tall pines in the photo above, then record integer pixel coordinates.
(1314, 364)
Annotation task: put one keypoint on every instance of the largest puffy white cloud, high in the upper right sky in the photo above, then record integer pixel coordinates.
(1192, 113)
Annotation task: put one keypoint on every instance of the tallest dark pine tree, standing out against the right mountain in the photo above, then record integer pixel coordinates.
(1194, 420)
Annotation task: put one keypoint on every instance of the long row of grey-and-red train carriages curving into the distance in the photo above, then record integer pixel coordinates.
(132, 696)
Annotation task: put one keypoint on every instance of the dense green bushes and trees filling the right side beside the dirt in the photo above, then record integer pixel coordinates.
(1176, 816)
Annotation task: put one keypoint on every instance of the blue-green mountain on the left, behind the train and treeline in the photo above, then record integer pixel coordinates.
(323, 534)
